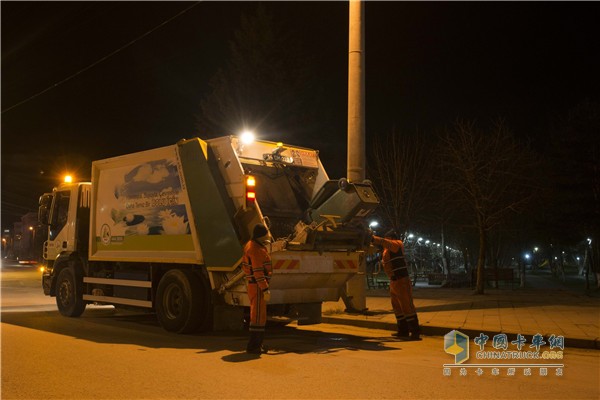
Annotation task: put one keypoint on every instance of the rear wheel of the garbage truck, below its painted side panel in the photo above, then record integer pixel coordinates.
(180, 301)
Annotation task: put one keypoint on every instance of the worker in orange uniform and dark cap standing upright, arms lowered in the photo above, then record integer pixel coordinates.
(256, 264)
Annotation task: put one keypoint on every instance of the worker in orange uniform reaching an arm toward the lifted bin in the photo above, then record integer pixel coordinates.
(396, 268)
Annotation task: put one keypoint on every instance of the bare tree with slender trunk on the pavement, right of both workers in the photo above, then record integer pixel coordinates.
(489, 170)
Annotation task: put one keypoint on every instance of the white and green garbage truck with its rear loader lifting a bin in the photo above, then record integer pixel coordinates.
(164, 230)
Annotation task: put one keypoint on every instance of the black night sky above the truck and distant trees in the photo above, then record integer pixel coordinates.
(427, 63)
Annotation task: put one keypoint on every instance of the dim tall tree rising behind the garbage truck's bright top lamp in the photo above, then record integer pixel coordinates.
(268, 84)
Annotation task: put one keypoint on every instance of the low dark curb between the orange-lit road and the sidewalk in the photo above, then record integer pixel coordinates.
(429, 330)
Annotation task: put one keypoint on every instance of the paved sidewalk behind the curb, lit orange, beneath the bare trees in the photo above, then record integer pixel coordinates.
(546, 305)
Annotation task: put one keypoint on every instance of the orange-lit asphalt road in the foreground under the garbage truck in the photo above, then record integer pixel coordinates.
(107, 354)
